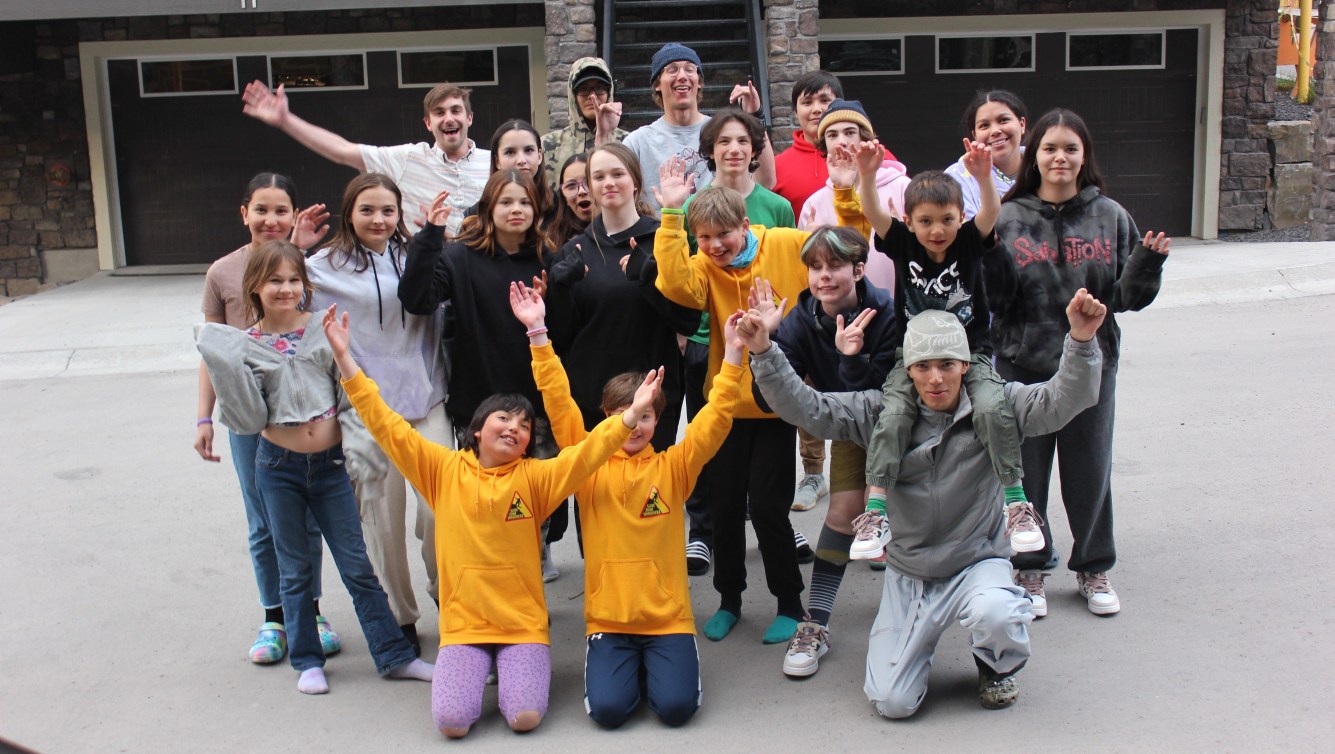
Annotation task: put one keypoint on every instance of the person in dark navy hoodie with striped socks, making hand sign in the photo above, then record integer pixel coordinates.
(840, 337)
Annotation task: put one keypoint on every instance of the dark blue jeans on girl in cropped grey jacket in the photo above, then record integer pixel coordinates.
(294, 486)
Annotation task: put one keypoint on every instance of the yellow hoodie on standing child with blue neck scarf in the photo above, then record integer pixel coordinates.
(699, 284)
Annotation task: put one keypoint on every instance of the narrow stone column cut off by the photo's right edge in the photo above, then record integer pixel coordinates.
(1324, 129)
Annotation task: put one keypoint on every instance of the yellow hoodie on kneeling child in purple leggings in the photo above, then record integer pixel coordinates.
(488, 521)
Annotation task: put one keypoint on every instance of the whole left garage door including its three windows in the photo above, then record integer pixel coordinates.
(185, 151)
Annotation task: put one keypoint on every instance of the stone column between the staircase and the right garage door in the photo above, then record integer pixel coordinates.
(792, 29)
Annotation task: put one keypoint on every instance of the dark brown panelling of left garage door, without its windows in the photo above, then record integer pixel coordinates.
(184, 162)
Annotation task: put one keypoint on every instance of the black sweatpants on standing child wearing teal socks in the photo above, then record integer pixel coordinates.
(756, 465)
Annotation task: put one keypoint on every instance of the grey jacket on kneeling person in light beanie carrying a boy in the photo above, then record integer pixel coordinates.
(946, 512)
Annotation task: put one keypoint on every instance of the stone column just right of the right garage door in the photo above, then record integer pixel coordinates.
(1250, 49)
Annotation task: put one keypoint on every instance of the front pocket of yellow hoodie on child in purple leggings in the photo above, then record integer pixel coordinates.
(493, 599)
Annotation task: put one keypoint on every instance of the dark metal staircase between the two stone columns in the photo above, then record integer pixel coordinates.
(728, 35)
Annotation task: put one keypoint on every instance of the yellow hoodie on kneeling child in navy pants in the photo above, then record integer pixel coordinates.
(633, 508)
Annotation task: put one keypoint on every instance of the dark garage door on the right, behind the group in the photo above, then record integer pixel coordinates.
(1135, 90)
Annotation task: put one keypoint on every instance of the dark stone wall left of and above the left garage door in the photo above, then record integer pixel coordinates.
(46, 192)
